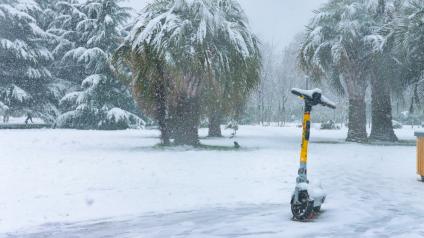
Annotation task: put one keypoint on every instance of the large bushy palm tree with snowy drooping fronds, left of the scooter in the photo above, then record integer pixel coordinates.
(176, 49)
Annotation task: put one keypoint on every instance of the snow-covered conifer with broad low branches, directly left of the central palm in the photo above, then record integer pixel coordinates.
(102, 102)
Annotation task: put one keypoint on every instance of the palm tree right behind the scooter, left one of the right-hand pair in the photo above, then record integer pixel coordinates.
(335, 49)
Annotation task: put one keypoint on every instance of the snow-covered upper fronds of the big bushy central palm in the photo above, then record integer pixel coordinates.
(190, 24)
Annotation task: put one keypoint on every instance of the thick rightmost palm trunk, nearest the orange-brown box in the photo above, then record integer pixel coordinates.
(382, 126)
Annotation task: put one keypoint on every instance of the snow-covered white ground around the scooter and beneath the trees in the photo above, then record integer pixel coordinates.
(68, 183)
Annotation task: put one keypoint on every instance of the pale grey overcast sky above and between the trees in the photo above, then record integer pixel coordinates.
(274, 21)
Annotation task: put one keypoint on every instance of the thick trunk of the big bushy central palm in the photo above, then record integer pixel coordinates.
(186, 118)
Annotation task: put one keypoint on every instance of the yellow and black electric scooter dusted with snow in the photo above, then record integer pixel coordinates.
(305, 202)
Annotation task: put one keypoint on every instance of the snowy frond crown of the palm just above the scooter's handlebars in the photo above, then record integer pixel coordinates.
(339, 35)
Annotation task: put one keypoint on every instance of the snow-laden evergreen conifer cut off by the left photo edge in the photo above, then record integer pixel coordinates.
(26, 83)
